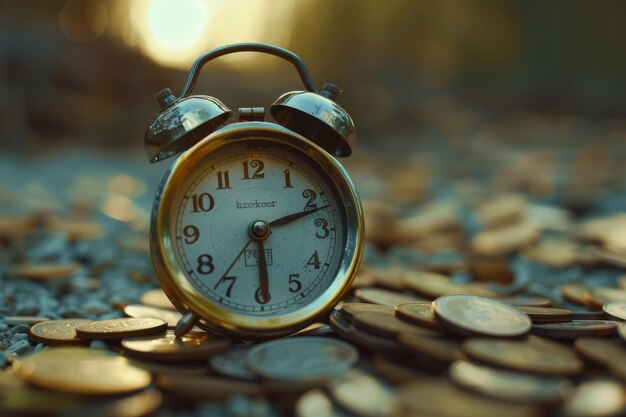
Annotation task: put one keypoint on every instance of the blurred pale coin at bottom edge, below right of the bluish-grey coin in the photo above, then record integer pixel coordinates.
(362, 394)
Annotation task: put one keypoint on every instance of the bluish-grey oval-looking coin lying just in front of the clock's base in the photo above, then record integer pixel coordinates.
(302, 359)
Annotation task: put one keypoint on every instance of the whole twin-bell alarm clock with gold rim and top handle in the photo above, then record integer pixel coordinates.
(257, 228)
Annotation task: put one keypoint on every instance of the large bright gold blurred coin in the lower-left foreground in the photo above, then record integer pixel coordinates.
(81, 371)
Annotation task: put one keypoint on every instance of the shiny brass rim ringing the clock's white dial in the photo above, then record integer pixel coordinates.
(172, 277)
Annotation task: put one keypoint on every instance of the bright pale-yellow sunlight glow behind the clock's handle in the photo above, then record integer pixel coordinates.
(174, 33)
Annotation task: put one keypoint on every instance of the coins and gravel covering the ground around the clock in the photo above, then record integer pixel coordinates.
(477, 299)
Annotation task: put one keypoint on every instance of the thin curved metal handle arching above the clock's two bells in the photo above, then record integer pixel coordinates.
(303, 71)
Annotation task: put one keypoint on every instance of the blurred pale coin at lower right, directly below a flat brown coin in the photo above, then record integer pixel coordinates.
(508, 385)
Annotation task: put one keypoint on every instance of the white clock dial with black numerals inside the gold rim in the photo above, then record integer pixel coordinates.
(259, 228)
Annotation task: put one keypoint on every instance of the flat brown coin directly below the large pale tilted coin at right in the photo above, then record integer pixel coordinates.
(532, 355)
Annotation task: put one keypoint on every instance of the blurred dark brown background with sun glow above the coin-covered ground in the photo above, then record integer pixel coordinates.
(529, 93)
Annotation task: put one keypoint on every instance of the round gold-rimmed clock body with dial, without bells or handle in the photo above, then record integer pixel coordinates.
(205, 255)
